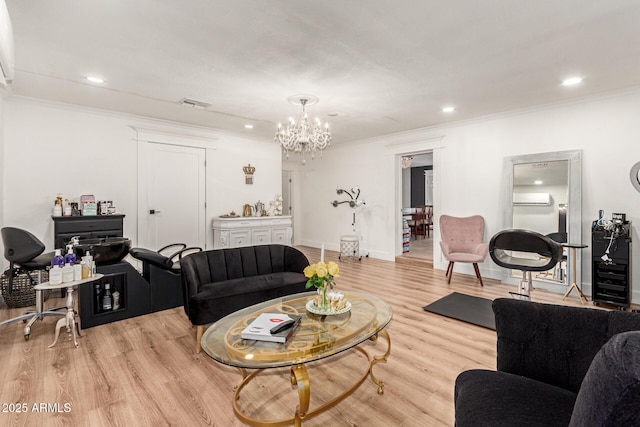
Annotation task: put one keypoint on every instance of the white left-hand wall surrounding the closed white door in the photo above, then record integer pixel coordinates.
(55, 148)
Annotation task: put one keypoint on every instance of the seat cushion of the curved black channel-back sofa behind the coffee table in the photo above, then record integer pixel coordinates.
(218, 299)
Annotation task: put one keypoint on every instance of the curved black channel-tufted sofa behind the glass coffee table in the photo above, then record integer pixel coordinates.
(220, 281)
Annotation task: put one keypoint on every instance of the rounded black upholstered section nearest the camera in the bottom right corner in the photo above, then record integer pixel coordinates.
(610, 393)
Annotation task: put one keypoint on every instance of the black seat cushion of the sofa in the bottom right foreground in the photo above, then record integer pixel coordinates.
(495, 398)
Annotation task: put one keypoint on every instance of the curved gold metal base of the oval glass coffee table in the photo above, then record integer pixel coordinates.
(300, 380)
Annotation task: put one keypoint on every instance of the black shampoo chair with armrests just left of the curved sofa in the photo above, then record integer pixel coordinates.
(161, 269)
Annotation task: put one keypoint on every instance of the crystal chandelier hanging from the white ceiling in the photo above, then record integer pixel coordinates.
(302, 136)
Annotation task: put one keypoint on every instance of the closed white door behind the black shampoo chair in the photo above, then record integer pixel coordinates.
(175, 196)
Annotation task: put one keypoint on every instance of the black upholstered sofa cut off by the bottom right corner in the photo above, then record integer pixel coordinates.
(556, 366)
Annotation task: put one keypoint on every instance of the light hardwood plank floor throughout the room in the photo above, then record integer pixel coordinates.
(144, 372)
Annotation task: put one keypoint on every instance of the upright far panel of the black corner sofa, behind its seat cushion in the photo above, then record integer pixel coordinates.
(552, 343)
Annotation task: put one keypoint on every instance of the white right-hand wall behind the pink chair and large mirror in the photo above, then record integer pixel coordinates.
(468, 173)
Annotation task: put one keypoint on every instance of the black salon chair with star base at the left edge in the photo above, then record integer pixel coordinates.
(24, 251)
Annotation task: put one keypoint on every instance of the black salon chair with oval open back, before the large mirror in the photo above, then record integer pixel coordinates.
(543, 254)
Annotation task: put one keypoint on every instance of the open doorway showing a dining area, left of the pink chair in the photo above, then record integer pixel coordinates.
(417, 208)
